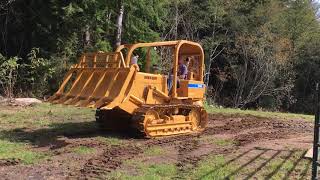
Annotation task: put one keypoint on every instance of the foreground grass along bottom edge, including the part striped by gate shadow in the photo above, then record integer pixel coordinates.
(215, 167)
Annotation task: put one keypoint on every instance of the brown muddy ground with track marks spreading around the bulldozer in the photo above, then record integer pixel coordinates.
(257, 148)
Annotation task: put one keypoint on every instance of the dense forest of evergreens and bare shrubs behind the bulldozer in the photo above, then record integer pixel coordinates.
(259, 54)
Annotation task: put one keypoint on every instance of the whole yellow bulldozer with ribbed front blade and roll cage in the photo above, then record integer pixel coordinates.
(127, 96)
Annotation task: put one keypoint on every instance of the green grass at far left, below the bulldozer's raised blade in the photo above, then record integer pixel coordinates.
(21, 128)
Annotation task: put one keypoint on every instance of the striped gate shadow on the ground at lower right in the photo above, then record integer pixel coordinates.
(299, 166)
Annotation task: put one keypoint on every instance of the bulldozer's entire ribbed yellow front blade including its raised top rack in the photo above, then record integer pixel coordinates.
(98, 79)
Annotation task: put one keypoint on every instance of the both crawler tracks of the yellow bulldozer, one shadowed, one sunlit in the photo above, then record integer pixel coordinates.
(156, 120)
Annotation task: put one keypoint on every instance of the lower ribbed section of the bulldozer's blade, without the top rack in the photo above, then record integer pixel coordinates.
(95, 87)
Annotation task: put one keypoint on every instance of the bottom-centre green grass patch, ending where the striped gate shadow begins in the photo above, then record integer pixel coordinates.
(212, 167)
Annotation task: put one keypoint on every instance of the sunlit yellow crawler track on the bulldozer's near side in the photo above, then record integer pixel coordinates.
(166, 120)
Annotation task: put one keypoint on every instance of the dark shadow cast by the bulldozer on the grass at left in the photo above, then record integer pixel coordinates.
(53, 135)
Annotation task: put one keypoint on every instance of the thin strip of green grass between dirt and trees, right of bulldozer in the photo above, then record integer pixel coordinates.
(264, 114)
